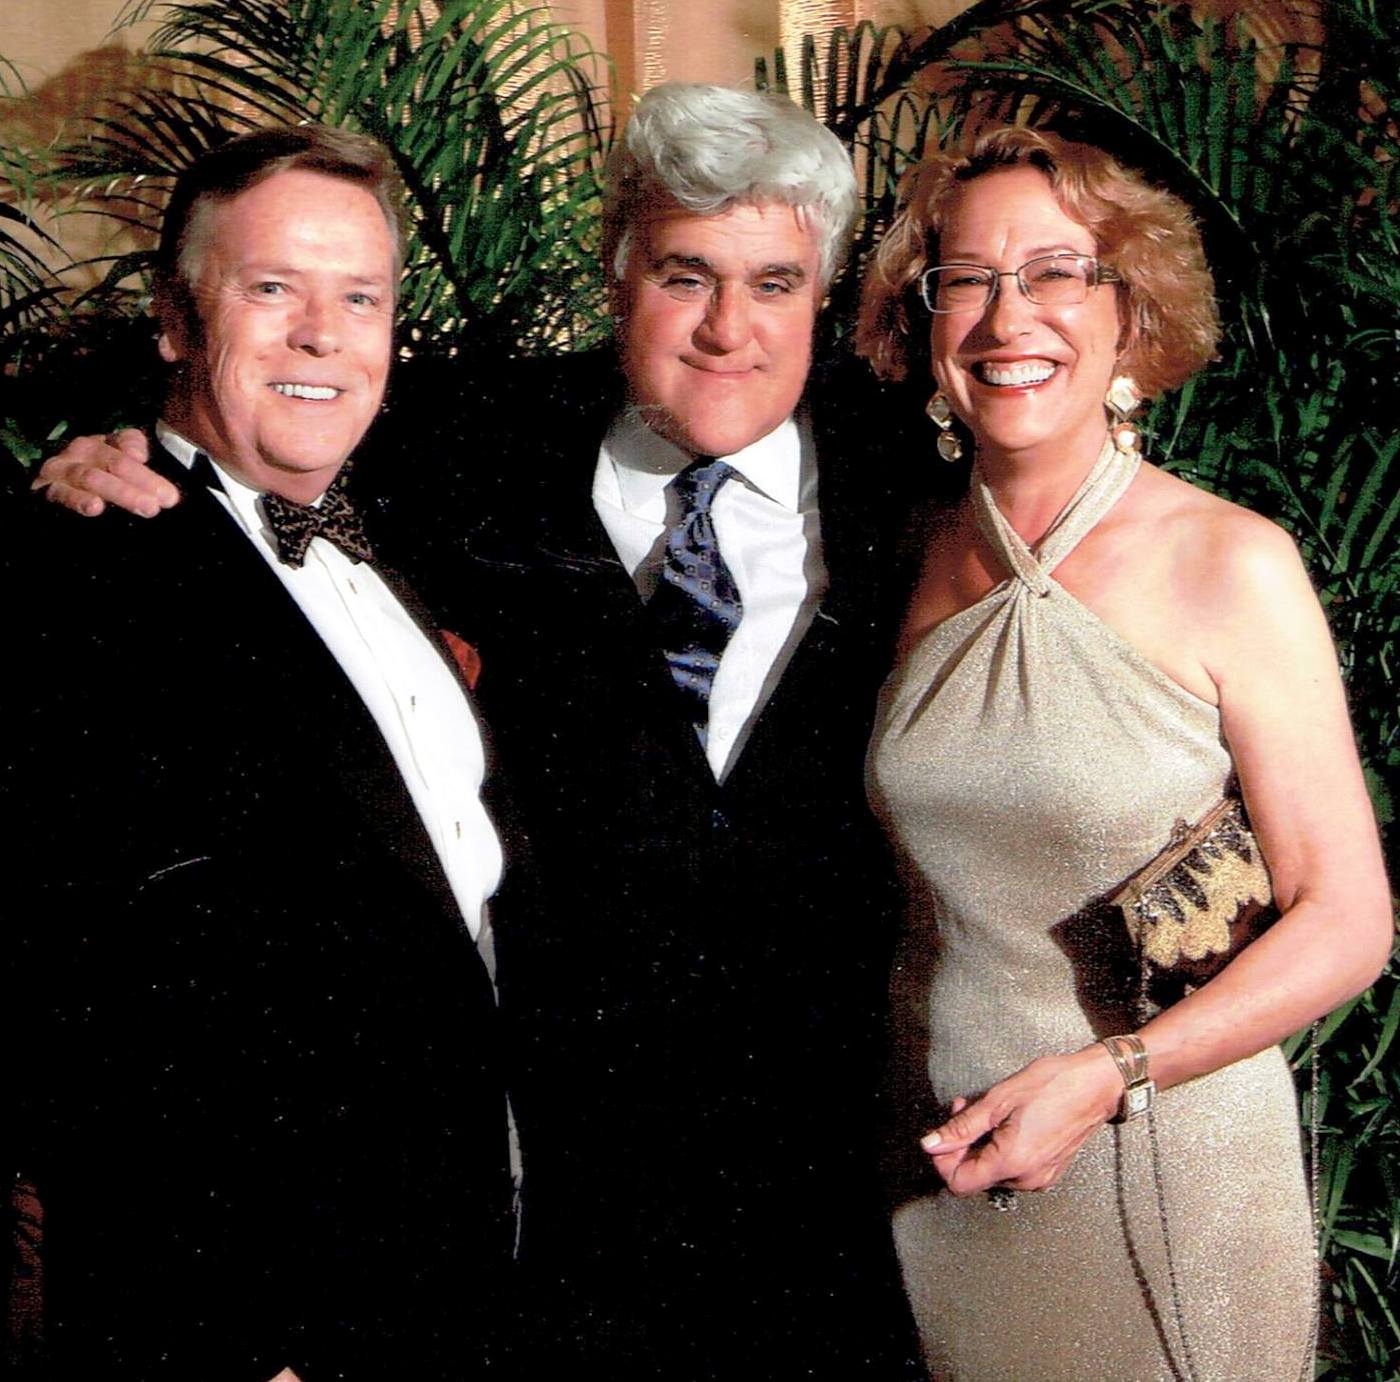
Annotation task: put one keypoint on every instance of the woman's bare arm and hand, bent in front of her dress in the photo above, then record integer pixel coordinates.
(1266, 646)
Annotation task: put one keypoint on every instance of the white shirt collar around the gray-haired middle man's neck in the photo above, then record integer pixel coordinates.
(643, 464)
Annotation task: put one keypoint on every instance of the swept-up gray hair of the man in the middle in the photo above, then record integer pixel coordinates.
(706, 149)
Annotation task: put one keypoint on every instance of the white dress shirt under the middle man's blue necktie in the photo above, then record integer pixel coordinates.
(766, 526)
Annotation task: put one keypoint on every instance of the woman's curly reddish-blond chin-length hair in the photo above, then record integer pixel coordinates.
(1144, 233)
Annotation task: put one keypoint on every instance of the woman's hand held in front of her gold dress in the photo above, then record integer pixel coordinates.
(1024, 1132)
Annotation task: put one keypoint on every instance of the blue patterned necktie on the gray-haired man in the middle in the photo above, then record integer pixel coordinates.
(696, 604)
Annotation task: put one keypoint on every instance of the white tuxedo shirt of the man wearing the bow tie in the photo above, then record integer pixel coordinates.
(405, 685)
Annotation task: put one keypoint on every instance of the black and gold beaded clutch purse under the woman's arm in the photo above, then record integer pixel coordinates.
(1203, 898)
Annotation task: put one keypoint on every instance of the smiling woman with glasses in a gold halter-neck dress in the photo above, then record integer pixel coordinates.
(1097, 655)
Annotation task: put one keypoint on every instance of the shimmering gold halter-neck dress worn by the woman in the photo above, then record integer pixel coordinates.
(1027, 762)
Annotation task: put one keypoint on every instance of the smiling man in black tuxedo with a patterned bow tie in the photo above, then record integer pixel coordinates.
(260, 1089)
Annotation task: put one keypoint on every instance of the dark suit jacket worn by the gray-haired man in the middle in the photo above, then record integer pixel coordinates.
(694, 975)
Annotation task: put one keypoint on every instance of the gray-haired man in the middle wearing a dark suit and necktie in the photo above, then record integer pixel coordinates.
(696, 923)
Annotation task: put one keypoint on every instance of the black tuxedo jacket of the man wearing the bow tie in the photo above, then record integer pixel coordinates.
(260, 1089)
